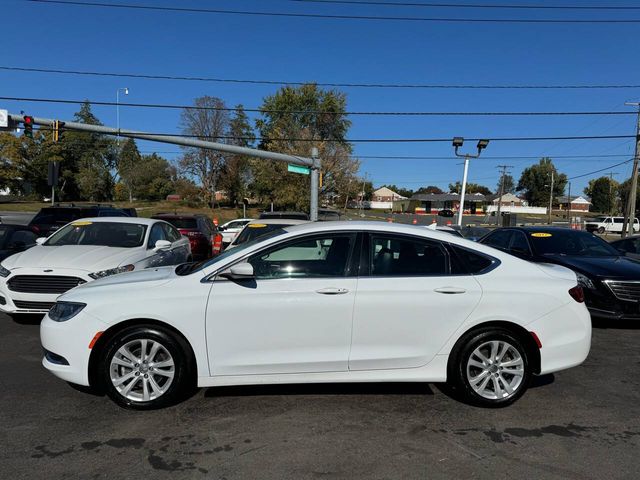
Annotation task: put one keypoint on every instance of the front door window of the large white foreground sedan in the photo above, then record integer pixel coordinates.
(318, 256)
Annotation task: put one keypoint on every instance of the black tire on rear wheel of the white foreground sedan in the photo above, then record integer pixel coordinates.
(459, 369)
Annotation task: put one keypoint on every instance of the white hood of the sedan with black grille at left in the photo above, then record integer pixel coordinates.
(82, 257)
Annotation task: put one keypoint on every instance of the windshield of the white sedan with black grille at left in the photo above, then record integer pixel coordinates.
(107, 234)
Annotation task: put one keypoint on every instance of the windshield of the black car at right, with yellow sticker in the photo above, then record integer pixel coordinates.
(570, 242)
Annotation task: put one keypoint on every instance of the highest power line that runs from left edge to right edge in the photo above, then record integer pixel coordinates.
(320, 84)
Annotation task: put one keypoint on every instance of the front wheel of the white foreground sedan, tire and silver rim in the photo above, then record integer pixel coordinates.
(145, 368)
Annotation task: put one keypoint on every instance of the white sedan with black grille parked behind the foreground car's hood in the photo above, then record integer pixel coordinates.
(82, 251)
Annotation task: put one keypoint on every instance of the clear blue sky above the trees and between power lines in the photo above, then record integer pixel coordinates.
(213, 45)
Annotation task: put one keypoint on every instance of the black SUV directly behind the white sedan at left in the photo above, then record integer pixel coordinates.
(50, 219)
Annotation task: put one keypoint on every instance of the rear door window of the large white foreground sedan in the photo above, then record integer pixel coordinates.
(404, 256)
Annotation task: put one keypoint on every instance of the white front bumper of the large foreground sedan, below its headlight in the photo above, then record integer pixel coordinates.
(69, 340)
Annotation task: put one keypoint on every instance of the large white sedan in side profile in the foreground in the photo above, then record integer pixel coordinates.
(323, 302)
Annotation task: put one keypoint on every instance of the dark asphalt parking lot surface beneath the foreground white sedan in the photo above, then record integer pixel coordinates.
(583, 423)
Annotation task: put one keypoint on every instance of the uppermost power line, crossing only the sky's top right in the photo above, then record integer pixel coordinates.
(470, 5)
